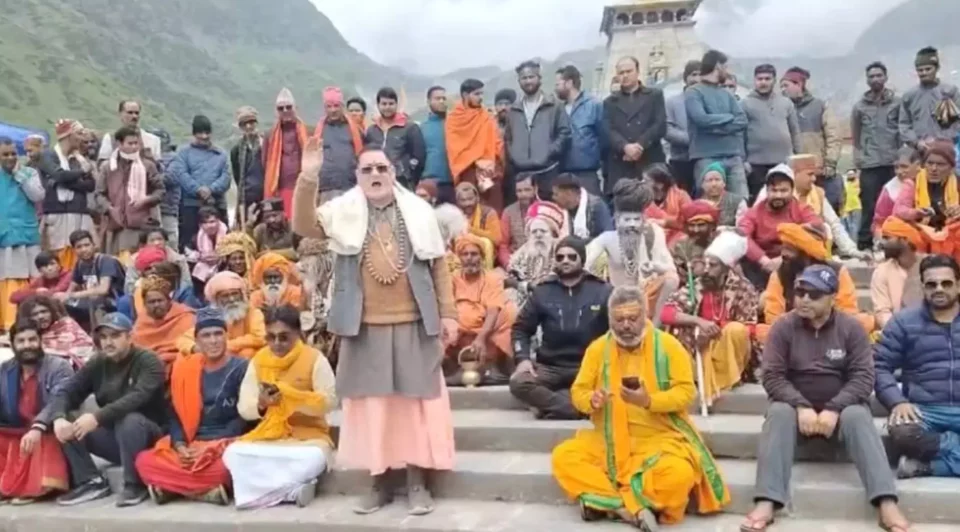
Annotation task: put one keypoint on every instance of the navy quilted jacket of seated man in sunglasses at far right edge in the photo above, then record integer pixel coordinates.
(928, 355)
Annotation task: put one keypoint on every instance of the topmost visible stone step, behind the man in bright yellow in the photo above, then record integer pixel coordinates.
(746, 399)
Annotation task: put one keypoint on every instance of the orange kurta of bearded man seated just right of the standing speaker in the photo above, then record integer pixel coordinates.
(474, 298)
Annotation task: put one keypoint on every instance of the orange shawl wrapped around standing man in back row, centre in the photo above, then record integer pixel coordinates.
(471, 136)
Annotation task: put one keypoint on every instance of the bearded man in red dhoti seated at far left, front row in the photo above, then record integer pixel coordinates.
(32, 465)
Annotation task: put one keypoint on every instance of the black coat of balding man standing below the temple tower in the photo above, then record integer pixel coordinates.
(640, 117)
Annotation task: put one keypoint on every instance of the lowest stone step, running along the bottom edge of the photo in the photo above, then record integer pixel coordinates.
(334, 514)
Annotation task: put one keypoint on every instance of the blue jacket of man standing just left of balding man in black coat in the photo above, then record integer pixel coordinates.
(588, 135)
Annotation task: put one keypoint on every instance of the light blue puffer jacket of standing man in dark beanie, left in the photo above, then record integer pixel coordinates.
(196, 167)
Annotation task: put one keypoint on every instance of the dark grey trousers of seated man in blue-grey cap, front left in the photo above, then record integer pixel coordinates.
(119, 445)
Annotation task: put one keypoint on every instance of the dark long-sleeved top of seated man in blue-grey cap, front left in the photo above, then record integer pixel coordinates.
(134, 385)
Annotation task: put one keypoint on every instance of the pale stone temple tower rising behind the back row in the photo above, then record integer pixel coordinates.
(659, 33)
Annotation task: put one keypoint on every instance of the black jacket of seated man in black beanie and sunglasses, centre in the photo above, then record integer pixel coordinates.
(571, 318)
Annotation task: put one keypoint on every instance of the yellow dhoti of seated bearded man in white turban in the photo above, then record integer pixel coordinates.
(725, 359)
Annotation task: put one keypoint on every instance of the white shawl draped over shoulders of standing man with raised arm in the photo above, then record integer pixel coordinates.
(344, 220)
